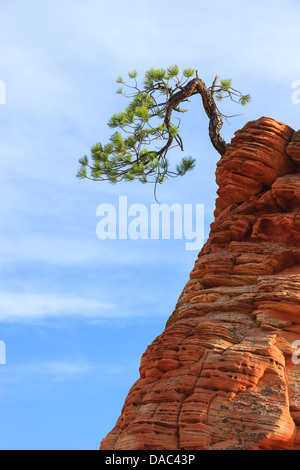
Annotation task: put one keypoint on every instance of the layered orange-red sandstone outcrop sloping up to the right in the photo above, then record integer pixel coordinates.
(224, 374)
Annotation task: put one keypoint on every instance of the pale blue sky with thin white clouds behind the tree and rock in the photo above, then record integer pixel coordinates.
(76, 312)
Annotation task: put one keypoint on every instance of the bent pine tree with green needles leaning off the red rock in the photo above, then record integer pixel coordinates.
(146, 131)
